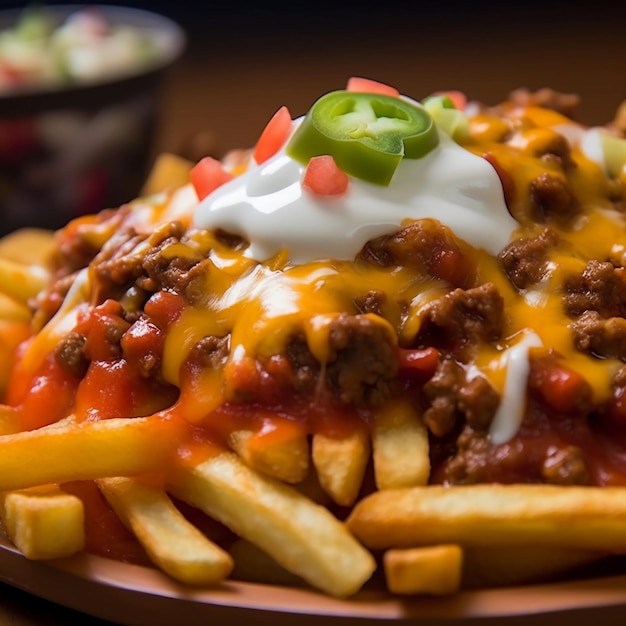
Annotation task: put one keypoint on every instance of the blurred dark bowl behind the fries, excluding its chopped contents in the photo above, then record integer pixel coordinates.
(75, 149)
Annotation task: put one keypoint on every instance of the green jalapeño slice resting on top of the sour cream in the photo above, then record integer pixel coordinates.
(366, 134)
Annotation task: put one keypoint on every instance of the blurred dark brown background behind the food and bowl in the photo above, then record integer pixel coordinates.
(243, 61)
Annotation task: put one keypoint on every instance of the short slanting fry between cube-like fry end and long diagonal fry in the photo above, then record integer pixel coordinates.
(172, 542)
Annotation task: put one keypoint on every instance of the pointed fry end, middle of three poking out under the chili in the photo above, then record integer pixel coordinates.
(340, 464)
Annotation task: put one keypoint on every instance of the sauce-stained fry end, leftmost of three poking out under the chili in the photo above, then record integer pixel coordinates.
(285, 458)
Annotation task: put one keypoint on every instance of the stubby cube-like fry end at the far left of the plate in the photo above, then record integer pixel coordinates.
(44, 522)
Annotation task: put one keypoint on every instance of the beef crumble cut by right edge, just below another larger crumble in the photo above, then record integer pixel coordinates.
(599, 336)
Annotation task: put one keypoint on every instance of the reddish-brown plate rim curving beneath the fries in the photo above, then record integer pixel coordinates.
(121, 593)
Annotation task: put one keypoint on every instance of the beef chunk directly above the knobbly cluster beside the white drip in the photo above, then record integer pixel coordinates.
(467, 315)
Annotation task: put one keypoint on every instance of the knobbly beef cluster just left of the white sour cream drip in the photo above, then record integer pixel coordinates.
(452, 397)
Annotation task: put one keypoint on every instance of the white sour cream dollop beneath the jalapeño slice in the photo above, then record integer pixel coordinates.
(268, 206)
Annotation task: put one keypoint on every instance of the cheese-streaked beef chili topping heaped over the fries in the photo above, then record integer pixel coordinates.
(188, 313)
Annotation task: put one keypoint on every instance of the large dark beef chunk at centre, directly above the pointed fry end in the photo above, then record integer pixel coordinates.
(362, 360)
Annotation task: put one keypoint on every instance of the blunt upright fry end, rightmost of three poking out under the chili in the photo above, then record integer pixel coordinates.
(400, 447)
